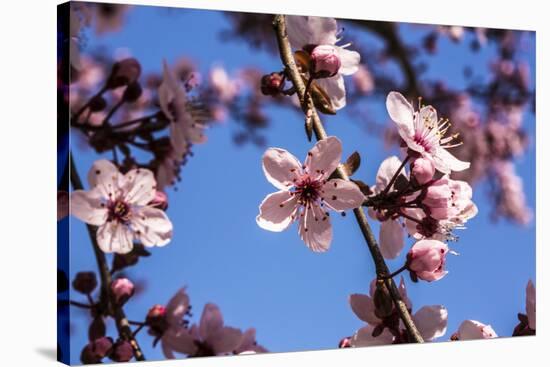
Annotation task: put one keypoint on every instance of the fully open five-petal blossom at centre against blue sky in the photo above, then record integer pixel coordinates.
(306, 192)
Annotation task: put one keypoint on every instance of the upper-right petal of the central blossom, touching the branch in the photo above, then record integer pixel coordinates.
(324, 157)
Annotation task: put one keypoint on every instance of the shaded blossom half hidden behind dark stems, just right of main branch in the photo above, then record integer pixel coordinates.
(391, 229)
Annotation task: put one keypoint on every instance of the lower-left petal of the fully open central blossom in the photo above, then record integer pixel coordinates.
(277, 211)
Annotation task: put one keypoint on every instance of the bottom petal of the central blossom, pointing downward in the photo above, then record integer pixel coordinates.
(315, 228)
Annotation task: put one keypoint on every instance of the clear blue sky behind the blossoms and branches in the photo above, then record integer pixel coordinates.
(295, 298)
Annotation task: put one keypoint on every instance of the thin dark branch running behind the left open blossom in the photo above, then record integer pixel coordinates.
(121, 321)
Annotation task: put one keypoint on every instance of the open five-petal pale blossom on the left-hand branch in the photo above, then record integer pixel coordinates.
(118, 205)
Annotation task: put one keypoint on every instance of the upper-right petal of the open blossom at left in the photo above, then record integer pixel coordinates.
(139, 186)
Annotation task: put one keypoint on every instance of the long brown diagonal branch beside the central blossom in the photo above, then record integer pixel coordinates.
(382, 270)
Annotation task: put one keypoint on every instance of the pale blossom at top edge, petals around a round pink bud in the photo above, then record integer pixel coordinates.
(304, 31)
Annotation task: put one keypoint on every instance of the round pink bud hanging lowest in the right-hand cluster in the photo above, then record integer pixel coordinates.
(426, 259)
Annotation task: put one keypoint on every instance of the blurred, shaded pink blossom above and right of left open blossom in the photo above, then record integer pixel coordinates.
(185, 128)
